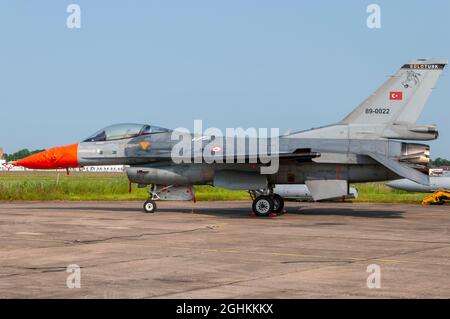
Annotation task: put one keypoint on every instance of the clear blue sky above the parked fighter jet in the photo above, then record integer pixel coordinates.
(253, 63)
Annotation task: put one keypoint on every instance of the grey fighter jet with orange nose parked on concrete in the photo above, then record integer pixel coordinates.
(367, 145)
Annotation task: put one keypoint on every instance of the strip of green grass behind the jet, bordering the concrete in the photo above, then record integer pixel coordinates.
(114, 186)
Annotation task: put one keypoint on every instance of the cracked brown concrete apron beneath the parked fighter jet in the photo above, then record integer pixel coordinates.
(216, 250)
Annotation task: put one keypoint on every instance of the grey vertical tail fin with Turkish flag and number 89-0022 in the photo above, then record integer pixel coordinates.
(401, 99)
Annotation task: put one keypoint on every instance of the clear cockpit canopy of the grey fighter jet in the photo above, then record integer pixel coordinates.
(121, 131)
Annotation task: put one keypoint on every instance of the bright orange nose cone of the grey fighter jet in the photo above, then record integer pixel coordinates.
(57, 157)
